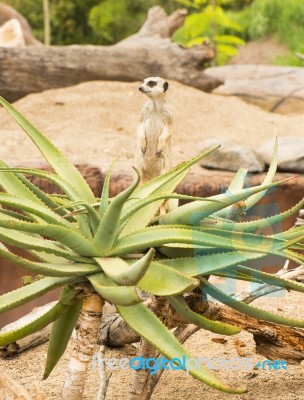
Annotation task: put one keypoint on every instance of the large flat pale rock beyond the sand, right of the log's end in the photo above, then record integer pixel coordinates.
(274, 88)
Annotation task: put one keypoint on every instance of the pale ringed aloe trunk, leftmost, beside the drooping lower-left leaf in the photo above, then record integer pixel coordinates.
(86, 339)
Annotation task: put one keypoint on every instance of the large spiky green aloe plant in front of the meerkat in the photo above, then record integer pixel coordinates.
(115, 248)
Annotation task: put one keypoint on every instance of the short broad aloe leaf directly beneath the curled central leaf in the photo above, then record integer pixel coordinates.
(111, 292)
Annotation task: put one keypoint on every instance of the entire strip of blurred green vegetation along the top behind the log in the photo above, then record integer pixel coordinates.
(224, 24)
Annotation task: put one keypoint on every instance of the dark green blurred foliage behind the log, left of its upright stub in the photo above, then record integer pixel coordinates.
(88, 22)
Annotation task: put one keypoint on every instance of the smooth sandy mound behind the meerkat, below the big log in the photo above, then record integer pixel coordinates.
(94, 121)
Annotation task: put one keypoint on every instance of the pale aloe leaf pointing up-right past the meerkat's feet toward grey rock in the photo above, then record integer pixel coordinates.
(164, 184)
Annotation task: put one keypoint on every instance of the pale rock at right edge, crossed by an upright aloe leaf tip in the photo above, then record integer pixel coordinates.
(291, 153)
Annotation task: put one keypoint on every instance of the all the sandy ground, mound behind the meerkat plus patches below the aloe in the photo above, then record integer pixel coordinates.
(93, 122)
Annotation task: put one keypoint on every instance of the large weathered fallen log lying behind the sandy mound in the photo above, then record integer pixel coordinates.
(150, 52)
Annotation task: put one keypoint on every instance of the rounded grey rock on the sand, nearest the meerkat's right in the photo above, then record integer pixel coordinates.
(230, 156)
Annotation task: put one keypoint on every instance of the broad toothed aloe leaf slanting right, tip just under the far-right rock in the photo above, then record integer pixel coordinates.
(194, 212)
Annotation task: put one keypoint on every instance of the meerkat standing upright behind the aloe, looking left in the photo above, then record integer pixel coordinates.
(154, 131)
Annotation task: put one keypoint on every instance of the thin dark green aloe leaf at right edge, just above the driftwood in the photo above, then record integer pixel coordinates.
(270, 279)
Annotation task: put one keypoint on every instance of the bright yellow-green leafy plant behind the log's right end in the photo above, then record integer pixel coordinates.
(210, 25)
